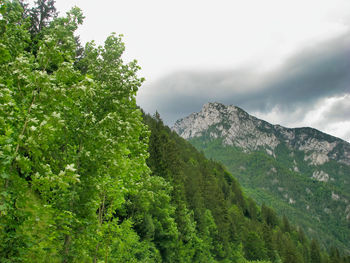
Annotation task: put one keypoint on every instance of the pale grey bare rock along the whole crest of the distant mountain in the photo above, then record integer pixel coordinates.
(237, 128)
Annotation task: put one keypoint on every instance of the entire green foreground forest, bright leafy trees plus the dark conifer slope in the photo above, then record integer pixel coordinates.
(85, 176)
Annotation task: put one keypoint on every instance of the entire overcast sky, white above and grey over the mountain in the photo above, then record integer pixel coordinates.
(287, 62)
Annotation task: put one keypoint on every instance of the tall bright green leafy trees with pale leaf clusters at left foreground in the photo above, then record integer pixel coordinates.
(70, 141)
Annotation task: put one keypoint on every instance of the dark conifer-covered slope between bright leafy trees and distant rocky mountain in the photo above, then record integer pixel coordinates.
(242, 229)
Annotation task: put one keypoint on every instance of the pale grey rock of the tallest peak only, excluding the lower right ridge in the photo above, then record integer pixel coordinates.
(231, 123)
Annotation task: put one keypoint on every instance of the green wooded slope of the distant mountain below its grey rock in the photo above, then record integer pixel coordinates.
(306, 201)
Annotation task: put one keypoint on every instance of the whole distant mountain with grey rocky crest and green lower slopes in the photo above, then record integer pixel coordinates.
(302, 172)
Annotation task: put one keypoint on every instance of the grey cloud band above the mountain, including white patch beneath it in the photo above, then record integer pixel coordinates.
(310, 89)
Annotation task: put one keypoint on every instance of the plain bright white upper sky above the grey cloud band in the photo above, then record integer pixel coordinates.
(205, 34)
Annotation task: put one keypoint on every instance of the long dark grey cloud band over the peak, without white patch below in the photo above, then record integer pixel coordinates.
(310, 75)
